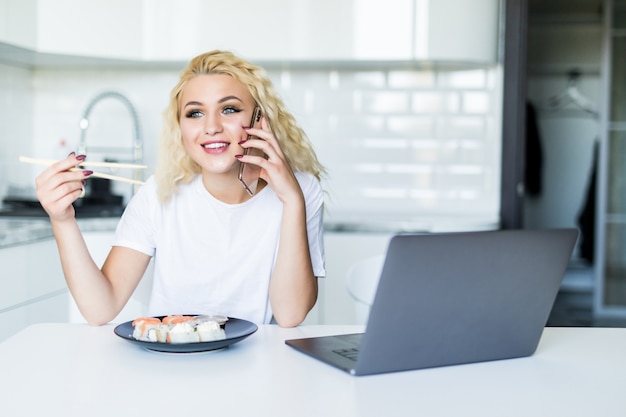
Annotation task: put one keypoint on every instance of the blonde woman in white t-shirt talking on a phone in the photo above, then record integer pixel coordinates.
(217, 249)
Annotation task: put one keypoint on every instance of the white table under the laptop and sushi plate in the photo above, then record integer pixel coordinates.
(79, 370)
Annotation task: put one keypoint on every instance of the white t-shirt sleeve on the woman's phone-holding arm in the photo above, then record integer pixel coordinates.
(314, 199)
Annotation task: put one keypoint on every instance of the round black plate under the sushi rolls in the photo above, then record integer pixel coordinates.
(236, 330)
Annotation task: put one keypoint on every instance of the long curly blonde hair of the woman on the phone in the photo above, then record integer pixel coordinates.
(175, 166)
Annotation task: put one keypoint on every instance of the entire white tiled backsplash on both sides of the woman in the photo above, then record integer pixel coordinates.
(400, 145)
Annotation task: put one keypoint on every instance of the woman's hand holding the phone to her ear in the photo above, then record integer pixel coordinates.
(274, 169)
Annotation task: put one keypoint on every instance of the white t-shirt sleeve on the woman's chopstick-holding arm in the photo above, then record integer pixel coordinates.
(135, 229)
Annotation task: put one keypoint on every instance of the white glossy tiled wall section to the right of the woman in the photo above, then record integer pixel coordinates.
(410, 144)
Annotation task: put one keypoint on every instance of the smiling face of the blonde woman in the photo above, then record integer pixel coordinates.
(213, 110)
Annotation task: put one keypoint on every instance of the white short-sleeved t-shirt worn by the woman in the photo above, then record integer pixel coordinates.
(211, 257)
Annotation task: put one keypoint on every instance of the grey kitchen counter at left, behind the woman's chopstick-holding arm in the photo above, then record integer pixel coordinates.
(22, 230)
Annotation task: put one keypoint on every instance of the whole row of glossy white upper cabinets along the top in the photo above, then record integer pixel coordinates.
(271, 30)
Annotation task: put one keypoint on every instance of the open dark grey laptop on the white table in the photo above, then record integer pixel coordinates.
(454, 298)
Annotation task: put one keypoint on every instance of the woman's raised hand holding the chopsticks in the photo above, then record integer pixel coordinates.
(58, 187)
